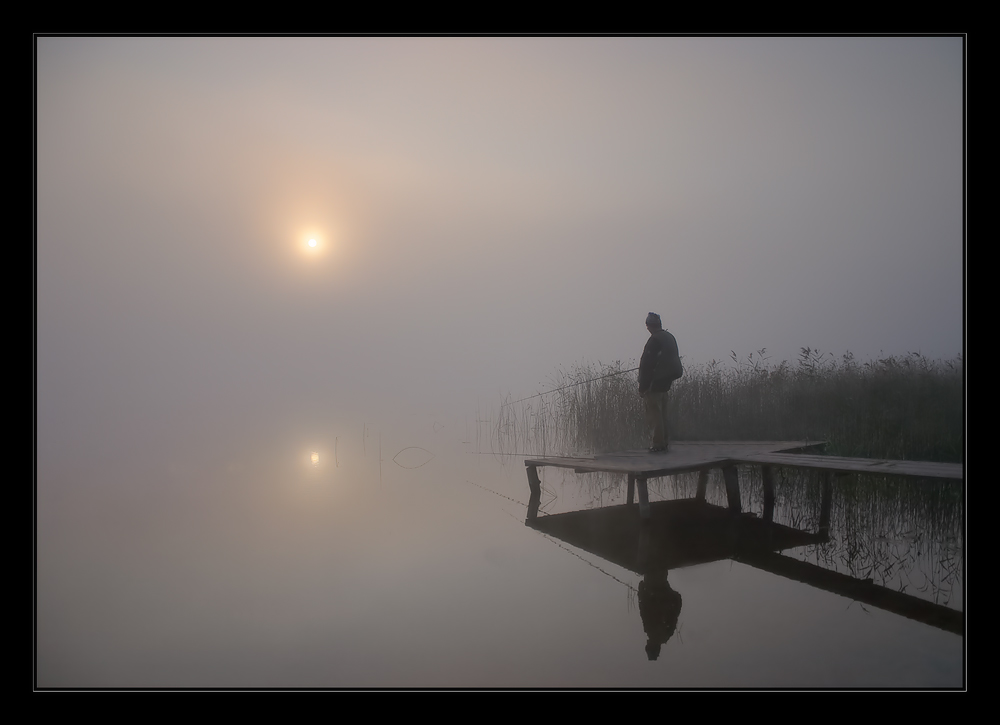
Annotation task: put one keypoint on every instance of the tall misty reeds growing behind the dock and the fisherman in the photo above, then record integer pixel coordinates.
(904, 407)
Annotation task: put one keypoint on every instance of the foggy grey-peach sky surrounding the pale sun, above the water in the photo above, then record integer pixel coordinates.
(490, 209)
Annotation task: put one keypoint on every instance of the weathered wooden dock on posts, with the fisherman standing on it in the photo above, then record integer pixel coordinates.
(703, 456)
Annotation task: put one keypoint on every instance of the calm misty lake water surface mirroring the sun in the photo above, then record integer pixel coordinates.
(250, 565)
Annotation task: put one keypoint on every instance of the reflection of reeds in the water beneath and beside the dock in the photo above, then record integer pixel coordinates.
(902, 533)
